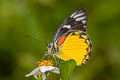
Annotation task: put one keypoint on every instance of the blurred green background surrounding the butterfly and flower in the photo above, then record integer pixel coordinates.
(40, 19)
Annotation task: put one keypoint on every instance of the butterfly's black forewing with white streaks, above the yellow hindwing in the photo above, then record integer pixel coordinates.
(76, 21)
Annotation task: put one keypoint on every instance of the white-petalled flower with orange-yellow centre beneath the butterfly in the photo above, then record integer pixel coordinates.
(44, 66)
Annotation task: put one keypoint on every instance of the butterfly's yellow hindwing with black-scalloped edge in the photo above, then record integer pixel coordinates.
(77, 46)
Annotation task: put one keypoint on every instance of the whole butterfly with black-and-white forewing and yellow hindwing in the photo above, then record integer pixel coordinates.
(71, 40)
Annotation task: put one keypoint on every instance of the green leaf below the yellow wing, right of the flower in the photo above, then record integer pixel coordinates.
(66, 68)
